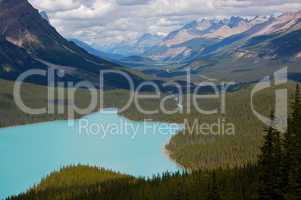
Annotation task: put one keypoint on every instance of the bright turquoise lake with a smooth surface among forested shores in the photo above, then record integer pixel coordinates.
(105, 139)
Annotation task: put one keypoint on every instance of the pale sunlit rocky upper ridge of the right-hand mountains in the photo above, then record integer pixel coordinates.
(209, 35)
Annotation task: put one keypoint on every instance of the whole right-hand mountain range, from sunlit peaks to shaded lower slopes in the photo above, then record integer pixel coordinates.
(234, 48)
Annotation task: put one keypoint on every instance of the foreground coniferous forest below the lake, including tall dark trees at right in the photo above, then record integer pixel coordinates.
(277, 175)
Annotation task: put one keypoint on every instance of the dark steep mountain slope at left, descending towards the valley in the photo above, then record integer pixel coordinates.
(23, 26)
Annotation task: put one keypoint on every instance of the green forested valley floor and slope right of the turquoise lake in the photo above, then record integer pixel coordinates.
(194, 150)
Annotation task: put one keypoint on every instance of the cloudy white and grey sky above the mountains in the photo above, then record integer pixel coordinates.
(103, 22)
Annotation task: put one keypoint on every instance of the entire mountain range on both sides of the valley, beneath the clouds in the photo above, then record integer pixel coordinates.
(234, 48)
